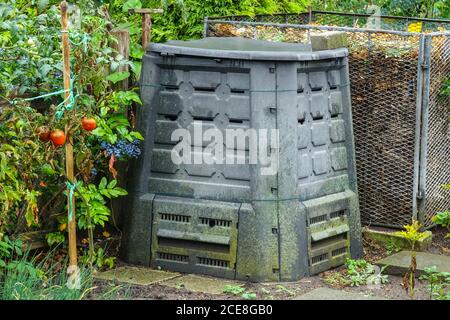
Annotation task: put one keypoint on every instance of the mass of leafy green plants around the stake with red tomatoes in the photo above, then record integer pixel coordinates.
(32, 173)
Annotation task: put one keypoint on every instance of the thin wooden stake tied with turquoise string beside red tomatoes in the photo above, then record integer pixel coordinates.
(72, 225)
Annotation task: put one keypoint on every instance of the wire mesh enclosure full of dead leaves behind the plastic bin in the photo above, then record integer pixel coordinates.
(399, 72)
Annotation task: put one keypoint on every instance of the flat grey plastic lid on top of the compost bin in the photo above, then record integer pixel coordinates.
(245, 49)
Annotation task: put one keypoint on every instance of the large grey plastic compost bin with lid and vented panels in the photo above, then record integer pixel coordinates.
(236, 220)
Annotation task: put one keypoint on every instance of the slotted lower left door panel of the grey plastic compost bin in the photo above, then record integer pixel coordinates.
(196, 236)
